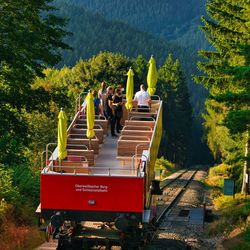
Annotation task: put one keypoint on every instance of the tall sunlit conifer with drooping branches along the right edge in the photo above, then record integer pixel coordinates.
(227, 75)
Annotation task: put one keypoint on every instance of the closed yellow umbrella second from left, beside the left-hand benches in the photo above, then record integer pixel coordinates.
(90, 116)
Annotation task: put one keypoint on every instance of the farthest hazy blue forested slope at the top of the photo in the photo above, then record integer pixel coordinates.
(175, 20)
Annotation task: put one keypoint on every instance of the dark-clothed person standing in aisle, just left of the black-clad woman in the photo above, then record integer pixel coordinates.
(109, 111)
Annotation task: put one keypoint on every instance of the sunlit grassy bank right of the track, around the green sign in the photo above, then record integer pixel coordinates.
(232, 212)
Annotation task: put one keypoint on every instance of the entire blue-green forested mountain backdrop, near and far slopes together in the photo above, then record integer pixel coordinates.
(95, 28)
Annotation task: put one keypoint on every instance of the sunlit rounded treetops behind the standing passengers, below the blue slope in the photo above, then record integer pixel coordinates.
(86, 74)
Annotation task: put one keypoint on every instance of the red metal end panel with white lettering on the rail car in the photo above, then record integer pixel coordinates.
(92, 193)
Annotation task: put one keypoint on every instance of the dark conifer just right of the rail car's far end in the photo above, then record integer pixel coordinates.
(177, 112)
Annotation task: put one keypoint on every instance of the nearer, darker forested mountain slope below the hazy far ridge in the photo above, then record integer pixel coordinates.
(90, 28)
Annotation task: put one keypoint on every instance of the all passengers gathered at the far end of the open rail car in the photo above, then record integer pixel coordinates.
(108, 101)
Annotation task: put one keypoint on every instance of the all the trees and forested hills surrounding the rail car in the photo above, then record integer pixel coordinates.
(48, 56)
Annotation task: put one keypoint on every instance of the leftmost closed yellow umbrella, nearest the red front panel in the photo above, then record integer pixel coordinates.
(62, 135)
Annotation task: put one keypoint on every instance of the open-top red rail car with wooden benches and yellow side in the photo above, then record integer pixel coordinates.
(108, 180)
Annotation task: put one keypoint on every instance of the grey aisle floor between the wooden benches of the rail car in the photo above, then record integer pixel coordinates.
(106, 162)
